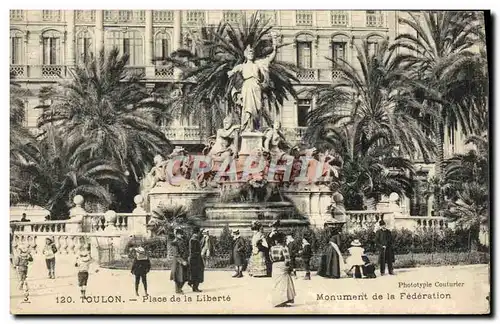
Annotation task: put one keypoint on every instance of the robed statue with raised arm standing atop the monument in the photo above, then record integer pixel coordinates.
(255, 76)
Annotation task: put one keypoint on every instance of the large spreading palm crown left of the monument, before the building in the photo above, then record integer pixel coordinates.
(110, 112)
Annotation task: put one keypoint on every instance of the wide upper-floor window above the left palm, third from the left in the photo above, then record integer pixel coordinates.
(130, 43)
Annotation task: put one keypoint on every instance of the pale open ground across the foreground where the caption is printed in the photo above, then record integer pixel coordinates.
(112, 290)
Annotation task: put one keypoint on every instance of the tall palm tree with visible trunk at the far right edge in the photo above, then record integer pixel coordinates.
(451, 79)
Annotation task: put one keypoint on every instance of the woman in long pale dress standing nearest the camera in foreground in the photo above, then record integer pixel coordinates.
(283, 288)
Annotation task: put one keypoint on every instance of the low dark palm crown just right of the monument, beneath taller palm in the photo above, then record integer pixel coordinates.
(370, 166)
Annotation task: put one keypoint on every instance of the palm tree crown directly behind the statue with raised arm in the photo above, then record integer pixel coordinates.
(220, 49)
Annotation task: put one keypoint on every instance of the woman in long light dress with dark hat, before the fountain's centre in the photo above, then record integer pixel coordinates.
(257, 264)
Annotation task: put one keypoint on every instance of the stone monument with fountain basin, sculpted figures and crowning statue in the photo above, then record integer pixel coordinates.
(242, 176)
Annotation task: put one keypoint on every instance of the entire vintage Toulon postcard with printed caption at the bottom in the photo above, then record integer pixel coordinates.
(249, 162)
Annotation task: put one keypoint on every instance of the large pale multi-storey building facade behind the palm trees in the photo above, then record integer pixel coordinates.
(45, 44)
